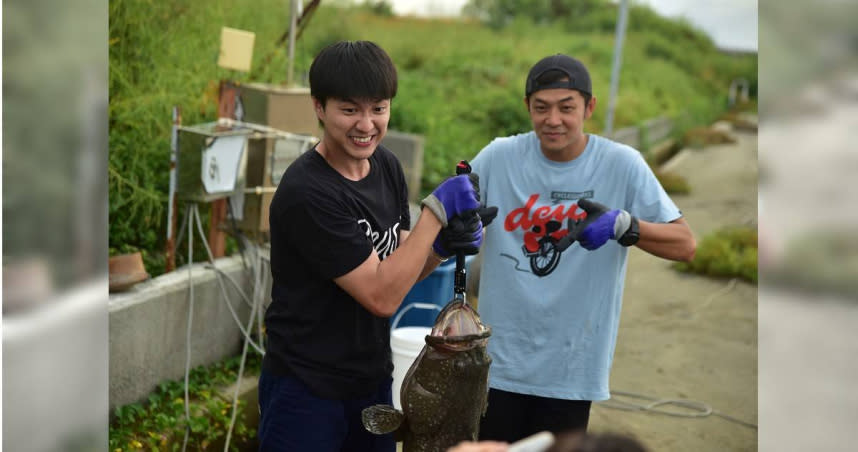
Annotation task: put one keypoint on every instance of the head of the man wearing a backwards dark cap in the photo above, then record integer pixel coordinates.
(559, 98)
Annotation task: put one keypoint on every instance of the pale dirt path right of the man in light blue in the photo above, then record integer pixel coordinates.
(692, 337)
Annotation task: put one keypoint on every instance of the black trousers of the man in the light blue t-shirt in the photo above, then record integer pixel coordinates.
(511, 416)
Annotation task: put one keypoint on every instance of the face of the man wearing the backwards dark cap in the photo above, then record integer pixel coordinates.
(558, 117)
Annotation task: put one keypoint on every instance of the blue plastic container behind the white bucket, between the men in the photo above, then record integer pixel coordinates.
(436, 289)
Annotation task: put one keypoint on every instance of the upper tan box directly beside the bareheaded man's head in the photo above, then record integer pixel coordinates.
(288, 109)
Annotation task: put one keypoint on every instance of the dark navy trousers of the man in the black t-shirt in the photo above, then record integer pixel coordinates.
(292, 419)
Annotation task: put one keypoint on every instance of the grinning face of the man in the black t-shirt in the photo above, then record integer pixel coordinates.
(353, 128)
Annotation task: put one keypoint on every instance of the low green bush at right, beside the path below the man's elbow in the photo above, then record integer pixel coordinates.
(728, 253)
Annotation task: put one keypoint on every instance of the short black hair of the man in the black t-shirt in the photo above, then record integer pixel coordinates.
(352, 70)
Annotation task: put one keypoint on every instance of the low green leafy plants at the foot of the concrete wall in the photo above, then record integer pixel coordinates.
(160, 423)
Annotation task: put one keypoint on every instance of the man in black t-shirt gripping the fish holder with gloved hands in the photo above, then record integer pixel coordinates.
(343, 257)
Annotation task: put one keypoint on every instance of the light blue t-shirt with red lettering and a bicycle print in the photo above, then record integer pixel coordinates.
(554, 315)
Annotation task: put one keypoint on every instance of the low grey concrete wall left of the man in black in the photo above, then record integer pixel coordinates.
(148, 327)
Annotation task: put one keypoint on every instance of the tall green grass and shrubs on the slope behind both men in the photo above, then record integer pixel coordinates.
(461, 81)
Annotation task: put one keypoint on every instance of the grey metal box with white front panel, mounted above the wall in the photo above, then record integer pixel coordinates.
(211, 161)
